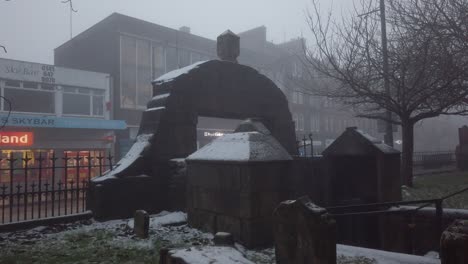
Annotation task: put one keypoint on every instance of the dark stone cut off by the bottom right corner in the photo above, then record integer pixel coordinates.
(454, 243)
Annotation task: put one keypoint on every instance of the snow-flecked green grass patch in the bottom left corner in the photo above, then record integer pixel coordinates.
(96, 246)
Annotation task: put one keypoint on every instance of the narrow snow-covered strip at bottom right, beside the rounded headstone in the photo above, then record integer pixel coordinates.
(384, 257)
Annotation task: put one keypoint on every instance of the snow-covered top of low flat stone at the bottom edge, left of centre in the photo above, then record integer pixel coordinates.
(210, 254)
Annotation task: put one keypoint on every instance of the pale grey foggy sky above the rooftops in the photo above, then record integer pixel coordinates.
(31, 29)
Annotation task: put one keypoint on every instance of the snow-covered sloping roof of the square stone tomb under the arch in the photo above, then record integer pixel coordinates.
(243, 146)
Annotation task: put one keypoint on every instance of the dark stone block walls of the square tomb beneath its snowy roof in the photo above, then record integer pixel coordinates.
(236, 198)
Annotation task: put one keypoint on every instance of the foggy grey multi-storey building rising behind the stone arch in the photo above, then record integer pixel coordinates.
(135, 52)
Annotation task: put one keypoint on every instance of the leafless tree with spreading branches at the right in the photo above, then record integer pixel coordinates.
(427, 56)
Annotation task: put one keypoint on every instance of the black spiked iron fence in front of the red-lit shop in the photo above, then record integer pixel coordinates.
(42, 186)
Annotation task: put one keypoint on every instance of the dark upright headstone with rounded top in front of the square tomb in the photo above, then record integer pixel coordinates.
(304, 233)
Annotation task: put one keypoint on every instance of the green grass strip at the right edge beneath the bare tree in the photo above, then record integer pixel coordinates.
(439, 185)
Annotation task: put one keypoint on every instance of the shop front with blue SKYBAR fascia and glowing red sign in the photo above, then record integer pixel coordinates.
(53, 149)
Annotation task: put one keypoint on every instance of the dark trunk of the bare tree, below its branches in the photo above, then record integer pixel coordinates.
(407, 153)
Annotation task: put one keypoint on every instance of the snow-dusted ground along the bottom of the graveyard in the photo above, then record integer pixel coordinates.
(114, 242)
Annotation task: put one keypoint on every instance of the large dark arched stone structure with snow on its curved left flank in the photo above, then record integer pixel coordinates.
(168, 130)
